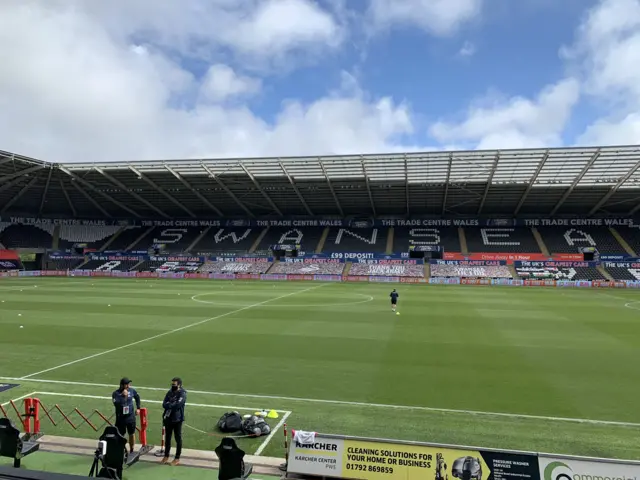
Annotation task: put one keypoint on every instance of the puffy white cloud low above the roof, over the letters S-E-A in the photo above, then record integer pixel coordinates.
(515, 122)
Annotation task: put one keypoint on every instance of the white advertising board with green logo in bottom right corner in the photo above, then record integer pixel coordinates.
(555, 468)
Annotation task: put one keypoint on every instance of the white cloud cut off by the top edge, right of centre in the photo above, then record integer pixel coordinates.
(438, 17)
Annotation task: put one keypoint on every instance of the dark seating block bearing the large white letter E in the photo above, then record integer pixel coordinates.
(499, 240)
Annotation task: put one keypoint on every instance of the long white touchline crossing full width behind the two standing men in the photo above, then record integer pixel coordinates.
(359, 404)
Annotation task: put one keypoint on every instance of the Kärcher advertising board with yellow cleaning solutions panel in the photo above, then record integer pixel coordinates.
(378, 460)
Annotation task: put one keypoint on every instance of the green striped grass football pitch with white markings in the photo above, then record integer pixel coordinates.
(550, 370)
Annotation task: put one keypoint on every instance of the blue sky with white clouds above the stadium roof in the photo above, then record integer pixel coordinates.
(166, 79)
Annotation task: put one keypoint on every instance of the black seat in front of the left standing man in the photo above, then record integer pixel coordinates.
(110, 457)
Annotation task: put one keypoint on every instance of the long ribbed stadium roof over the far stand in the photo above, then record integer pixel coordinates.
(592, 181)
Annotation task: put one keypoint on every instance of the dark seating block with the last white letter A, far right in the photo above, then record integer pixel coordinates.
(570, 240)
